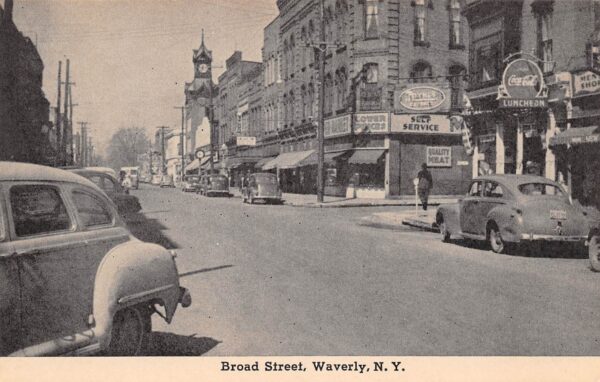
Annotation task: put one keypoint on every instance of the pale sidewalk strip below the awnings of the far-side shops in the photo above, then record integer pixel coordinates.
(310, 200)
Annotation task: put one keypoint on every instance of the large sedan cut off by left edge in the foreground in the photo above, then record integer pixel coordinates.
(73, 280)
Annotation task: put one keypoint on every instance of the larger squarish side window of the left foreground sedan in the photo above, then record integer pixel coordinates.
(38, 209)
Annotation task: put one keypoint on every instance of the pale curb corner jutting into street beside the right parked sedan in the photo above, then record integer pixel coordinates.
(424, 220)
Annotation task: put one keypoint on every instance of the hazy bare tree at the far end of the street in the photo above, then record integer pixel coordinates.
(126, 145)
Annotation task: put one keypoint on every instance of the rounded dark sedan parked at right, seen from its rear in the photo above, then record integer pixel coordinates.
(512, 209)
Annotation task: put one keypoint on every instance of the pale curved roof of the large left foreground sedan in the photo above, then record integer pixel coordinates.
(17, 171)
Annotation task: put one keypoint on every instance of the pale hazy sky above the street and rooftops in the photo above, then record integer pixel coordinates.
(130, 58)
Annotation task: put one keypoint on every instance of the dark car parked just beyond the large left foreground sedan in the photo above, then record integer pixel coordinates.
(126, 204)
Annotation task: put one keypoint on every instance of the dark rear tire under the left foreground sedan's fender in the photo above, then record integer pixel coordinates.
(129, 332)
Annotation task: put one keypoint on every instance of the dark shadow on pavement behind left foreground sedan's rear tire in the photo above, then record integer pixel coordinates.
(162, 344)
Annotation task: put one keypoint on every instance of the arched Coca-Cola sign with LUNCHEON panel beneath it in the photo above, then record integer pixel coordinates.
(522, 86)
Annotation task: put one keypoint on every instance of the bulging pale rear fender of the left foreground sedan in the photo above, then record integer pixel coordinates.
(132, 273)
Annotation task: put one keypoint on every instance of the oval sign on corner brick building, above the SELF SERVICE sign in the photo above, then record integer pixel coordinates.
(417, 98)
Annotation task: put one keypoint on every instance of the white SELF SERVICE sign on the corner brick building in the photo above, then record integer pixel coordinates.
(432, 124)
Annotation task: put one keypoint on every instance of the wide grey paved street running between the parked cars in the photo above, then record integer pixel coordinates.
(281, 280)
